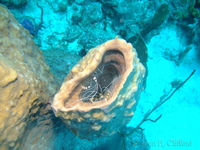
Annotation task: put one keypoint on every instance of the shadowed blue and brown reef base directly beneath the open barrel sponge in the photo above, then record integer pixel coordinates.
(40, 137)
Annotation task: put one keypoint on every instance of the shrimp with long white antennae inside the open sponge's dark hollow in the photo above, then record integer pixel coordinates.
(99, 85)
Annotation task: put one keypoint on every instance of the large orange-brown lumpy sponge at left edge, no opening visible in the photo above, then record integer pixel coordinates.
(25, 80)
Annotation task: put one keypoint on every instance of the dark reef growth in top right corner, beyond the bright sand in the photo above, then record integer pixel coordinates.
(187, 14)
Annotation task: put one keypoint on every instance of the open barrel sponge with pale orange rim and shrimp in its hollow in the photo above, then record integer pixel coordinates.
(101, 92)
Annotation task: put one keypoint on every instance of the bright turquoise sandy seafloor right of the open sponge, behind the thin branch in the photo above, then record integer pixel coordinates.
(180, 121)
